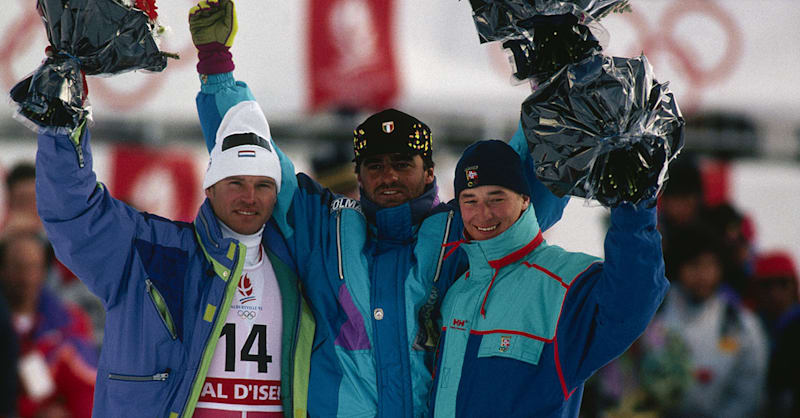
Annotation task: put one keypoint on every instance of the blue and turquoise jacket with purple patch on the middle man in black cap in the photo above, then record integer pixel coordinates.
(374, 276)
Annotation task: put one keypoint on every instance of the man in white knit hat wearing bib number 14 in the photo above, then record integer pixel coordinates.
(204, 318)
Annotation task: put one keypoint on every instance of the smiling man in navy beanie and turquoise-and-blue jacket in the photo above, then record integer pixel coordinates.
(530, 322)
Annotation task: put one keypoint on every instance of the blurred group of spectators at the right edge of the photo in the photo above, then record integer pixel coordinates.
(723, 343)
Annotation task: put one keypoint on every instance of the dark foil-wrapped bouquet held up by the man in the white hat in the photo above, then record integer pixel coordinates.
(87, 37)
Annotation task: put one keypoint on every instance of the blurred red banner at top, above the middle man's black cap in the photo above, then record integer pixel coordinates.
(351, 62)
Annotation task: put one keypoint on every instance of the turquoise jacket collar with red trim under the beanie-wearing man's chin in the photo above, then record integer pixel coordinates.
(510, 246)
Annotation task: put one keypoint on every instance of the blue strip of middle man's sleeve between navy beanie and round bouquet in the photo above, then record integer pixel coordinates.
(547, 206)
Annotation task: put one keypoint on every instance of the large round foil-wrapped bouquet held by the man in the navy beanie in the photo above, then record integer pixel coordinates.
(603, 129)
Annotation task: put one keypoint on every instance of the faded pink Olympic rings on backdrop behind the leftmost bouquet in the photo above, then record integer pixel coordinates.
(27, 32)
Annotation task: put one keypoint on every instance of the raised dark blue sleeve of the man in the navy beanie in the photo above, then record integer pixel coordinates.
(608, 306)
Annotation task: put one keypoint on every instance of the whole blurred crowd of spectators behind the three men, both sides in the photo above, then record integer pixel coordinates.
(722, 345)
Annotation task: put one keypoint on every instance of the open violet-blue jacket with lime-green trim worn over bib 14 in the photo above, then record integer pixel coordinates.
(166, 286)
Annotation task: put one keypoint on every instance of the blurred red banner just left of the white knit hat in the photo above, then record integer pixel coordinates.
(156, 181)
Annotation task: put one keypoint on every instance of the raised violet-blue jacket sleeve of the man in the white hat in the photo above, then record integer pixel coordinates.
(92, 233)
